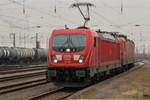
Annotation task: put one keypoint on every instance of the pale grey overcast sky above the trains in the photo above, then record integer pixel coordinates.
(106, 15)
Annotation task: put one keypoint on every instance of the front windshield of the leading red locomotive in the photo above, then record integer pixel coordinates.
(71, 42)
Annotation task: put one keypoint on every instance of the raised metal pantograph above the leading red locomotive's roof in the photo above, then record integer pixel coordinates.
(78, 5)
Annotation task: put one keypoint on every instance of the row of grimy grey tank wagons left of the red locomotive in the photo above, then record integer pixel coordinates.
(10, 55)
